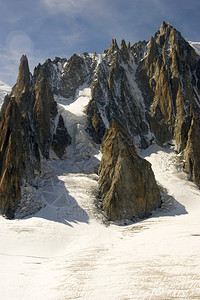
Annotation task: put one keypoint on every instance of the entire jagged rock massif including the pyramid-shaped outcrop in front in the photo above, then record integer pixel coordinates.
(138, 95)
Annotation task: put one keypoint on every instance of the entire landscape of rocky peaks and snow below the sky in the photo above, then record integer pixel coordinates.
(91, 143)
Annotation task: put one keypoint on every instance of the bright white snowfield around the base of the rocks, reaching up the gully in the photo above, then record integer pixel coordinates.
(66, 251)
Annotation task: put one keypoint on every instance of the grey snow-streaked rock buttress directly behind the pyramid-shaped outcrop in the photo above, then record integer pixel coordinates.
(116, 96)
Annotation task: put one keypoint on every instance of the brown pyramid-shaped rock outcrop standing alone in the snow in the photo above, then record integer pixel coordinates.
(127, 184)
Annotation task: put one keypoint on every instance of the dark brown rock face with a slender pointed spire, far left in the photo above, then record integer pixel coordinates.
(26, 134)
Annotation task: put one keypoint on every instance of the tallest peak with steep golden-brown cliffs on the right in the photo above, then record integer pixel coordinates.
(169, 79)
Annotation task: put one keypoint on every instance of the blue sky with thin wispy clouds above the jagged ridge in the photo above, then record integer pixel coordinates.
(44, 29)
